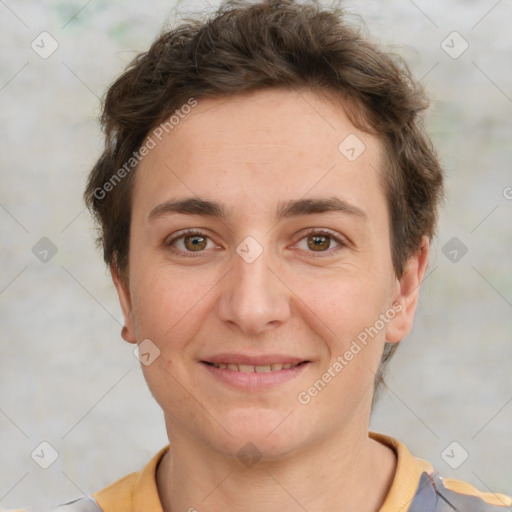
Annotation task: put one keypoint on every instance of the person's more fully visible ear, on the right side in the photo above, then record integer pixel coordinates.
(406, 294)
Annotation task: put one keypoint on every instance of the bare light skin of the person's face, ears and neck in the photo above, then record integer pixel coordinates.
(250, 153)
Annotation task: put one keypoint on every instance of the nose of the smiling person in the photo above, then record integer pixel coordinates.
(253, 297)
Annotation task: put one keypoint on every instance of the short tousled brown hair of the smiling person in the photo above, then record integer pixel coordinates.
(244, 47)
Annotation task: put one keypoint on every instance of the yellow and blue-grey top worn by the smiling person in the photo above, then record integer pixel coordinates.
(416, 487)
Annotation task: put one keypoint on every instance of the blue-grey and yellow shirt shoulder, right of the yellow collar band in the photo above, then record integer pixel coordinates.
(438, 494)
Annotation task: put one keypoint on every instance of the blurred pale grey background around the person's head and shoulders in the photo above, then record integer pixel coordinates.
(67, 378)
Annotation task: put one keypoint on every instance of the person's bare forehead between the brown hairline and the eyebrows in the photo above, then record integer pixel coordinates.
(262, 144)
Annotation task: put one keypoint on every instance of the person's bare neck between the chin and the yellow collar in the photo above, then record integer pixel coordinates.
(352, 473)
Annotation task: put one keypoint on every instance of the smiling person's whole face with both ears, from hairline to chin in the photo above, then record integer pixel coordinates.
(260, 270)
